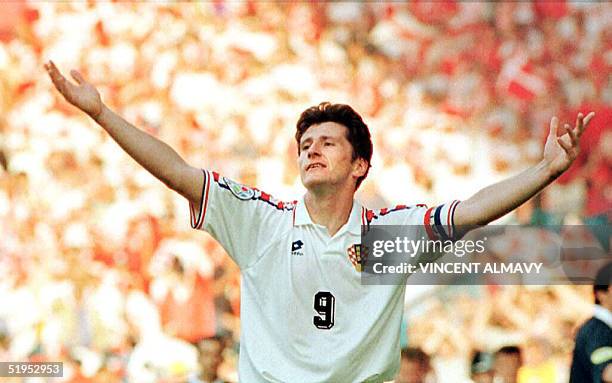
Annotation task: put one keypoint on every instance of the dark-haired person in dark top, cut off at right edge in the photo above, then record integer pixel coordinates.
(592, 360)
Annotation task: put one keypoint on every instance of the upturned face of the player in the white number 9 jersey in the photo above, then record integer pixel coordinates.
(326, 157)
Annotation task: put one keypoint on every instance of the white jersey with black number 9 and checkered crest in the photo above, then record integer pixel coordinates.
(305, 316)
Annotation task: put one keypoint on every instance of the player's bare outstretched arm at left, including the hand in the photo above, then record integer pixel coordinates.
(154, 155)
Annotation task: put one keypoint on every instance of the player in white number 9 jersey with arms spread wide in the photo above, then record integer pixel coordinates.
(305, 316)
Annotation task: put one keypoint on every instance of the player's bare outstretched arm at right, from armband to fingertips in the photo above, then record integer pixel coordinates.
(501, 198)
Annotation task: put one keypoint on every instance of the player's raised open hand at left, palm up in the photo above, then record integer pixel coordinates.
(83, 95)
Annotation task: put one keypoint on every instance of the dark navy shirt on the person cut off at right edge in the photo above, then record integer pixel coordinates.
(593, 350)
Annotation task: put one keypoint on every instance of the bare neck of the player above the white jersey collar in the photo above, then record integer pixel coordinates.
(331, 210)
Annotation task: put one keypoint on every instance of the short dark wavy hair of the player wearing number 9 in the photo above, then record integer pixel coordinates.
(358, 133)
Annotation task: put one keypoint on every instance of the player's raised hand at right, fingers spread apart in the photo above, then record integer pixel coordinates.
(560, 152)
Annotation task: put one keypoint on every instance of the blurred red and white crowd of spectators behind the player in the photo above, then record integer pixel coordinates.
(98, 265)
